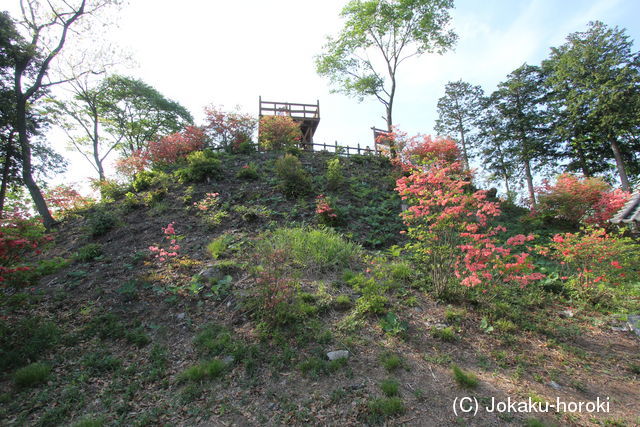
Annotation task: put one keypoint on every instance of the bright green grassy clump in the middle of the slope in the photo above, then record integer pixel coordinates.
(311, 249)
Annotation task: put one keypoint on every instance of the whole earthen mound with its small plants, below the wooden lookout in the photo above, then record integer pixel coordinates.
(211, 292)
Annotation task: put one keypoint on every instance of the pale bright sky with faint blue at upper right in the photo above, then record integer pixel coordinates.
(202, 52)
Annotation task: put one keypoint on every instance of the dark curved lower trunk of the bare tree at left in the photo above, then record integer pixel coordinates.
(27, 177)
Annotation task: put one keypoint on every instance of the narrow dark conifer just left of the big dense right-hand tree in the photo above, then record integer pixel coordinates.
(522, 123)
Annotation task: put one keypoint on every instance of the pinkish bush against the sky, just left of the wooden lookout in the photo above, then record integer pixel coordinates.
(229, 129)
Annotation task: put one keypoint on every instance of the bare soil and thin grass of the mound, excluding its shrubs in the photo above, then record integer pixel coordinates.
(120, 332)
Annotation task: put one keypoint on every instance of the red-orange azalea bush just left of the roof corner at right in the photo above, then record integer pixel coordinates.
(580, 200)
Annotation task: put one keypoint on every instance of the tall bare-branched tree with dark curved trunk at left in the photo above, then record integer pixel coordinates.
(46, 27)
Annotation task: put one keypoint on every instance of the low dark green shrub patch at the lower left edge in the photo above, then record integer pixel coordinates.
(26, 340)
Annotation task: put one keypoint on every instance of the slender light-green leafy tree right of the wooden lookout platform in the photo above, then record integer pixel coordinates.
(378, 36)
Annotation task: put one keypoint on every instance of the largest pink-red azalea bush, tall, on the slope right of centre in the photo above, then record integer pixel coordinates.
(448, 223)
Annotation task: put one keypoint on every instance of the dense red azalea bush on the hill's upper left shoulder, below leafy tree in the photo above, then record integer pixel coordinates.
(176, 146)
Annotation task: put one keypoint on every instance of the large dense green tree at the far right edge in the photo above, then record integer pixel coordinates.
(595, 77)
